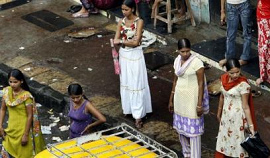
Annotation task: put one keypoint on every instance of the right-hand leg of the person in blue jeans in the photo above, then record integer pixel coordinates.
(245, 13)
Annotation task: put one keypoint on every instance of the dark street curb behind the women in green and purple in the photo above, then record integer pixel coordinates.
(43, 94)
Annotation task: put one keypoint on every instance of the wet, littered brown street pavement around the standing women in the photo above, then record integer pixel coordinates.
(52, 60)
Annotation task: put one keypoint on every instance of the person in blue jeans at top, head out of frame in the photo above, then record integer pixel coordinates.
(235, 10)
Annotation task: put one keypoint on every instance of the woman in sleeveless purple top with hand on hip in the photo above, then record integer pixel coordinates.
(81, 112)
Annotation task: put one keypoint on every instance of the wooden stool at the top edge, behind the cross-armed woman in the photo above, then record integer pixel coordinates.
(169, 11)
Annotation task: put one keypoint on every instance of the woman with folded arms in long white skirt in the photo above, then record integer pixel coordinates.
(134, 88)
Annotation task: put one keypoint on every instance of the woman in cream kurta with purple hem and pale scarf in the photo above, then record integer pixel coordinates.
(189, 99)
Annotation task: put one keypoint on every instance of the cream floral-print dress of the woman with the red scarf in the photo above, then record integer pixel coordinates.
(233, 121)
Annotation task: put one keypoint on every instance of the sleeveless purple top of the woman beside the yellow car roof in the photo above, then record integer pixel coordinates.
(80, 119)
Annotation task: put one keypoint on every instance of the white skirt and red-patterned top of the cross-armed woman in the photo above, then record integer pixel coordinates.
(134, 88)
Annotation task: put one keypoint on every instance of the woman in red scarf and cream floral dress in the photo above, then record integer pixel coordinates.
(235, 112)
